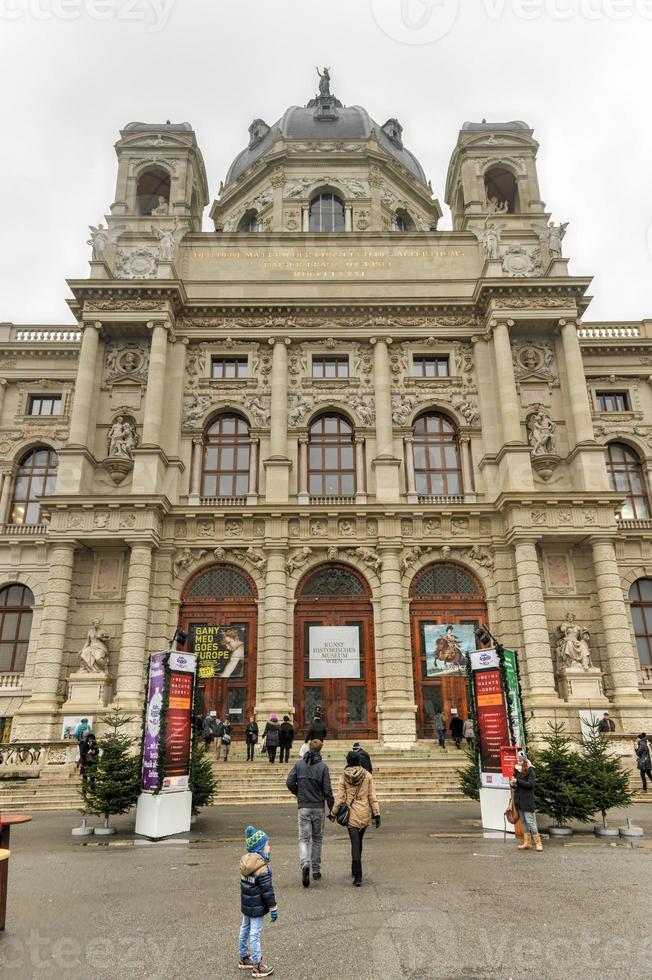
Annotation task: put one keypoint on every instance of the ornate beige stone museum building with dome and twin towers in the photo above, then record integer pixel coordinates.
(326, 413)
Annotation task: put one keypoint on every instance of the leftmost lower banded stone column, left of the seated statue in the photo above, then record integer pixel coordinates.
(51, 649)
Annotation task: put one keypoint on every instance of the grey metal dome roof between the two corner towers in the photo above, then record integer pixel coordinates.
(325, 118)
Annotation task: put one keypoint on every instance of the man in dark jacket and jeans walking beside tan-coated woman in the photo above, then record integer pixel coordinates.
(309, 780)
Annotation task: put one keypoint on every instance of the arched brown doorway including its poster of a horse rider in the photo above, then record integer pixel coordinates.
(442, 595)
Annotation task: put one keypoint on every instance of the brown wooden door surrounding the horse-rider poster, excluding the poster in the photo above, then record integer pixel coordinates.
(466, 606)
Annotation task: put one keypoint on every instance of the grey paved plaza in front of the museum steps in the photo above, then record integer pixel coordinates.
(438, 901)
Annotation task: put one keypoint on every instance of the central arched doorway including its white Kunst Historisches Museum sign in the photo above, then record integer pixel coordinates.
(334, 667)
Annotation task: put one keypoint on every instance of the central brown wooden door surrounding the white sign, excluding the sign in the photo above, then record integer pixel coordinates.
(348, 705)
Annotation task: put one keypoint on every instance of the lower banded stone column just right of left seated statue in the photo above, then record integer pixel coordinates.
(134, 650)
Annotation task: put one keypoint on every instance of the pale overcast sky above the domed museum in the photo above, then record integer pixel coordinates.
(576, 70)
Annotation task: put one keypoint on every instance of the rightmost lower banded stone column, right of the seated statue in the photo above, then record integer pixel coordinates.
(622, 657)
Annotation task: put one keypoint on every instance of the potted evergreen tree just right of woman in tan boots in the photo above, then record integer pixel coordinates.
(562, 789)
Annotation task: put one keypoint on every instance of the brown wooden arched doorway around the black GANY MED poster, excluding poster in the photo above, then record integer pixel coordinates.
(224, 595)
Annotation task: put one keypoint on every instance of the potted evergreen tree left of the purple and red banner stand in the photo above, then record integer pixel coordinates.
(116, 786)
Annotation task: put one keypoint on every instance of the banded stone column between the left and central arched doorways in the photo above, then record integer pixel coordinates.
(275, 655)
